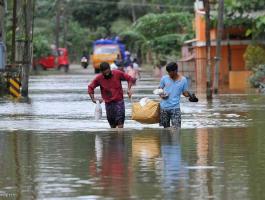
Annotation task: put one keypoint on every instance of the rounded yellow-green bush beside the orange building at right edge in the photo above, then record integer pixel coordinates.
(254, 56)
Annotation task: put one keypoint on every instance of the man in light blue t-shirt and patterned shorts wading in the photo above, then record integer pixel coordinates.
(173, 85)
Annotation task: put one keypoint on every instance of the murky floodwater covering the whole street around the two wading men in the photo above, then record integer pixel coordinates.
(53, 148)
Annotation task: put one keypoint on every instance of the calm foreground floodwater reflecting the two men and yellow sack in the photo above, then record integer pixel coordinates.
(146, 164)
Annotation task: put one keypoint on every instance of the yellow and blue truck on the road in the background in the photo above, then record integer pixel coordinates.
(106, 50)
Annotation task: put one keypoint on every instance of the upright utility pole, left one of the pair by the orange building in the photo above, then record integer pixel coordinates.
(208, 50)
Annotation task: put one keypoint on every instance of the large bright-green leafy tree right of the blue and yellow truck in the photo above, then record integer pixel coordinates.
(161, 34)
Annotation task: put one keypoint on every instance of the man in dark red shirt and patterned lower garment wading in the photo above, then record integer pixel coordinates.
(112, 93)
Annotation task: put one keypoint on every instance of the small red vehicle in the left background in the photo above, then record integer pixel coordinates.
(56, 59)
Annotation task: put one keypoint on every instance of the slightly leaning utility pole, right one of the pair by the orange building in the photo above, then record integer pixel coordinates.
(218, 44)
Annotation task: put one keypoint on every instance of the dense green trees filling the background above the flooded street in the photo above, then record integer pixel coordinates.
(150, 28)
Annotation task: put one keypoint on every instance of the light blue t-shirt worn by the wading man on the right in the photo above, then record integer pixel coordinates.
(174, 89)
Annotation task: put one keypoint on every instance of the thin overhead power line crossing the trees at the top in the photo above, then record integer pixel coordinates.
(139, 4)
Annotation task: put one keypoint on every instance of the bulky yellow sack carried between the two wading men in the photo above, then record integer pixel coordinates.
(147, 114)
